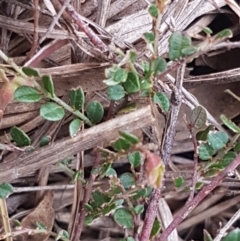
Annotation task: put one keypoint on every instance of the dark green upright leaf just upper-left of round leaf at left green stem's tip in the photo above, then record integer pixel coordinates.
(77, 98)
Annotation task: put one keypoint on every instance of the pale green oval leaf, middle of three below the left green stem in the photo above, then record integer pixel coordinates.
(52, 112)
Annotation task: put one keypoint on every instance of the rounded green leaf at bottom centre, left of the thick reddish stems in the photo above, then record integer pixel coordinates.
(124, 218)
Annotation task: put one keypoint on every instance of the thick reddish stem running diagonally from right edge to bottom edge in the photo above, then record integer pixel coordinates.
(184, 212)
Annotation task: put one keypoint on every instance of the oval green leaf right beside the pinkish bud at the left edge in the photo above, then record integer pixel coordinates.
(27, 94)
